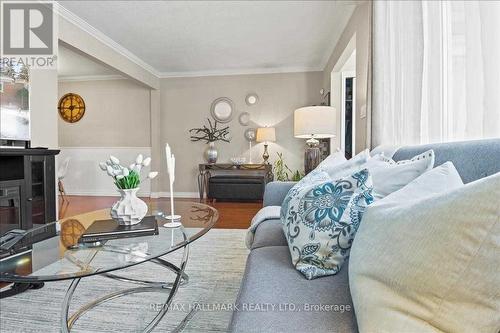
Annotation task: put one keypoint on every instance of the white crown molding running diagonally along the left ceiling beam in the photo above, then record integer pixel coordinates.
(85, 26)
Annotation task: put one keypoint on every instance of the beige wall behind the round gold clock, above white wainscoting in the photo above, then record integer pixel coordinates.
(117, 115)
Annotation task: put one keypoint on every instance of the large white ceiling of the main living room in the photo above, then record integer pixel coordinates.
(184, 38)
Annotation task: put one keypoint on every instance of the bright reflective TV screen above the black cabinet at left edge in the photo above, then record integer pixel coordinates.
(14, 103)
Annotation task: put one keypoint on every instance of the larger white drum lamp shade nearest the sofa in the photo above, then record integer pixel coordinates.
(314, 121)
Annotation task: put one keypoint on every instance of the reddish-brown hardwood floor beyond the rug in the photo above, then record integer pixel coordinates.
(232, 215)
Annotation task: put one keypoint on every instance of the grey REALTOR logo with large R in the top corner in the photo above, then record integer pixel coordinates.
(28, 34)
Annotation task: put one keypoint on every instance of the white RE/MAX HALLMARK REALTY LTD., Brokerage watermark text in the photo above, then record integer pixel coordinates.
(254, 307)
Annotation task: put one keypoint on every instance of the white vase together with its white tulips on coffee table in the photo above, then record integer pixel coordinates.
(129, 210)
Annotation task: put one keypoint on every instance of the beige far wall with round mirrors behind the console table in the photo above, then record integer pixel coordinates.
(185, 104)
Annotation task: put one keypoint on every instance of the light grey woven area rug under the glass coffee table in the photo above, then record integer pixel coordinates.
(215, 268)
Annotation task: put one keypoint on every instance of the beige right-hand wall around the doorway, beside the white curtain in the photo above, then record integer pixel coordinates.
(358, 27)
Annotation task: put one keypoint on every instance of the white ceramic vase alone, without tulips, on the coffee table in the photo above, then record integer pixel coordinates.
(129, 210)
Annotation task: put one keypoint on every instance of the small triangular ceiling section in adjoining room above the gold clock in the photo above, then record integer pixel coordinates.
(73, 65)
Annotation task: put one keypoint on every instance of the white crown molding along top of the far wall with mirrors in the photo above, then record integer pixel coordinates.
(253, 71)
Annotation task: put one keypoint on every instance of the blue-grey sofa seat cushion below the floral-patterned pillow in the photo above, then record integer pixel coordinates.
(270, 280)
